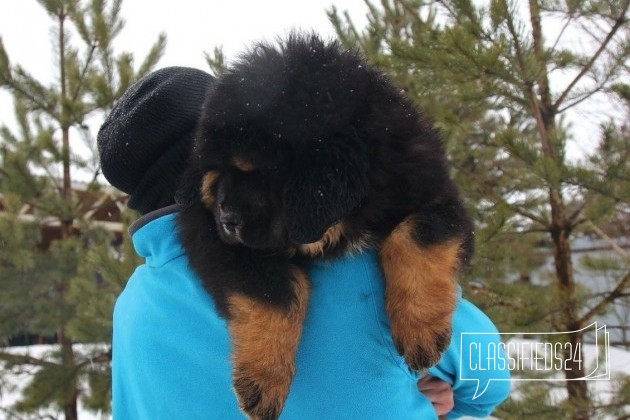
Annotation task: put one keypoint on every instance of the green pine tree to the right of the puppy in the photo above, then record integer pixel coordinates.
(483, 72)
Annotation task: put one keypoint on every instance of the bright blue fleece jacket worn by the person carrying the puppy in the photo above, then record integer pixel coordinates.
(171, 349)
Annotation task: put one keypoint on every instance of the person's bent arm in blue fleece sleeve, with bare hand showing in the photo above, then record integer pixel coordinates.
(459, 369)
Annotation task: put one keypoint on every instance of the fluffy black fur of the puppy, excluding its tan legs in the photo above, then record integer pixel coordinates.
(327, 139)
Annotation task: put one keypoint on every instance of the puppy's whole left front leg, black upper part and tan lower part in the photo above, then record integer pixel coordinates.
(264, 301)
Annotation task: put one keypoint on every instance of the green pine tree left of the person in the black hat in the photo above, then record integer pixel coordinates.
(60, 269)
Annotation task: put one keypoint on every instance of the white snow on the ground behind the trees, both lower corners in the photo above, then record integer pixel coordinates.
(618, 363)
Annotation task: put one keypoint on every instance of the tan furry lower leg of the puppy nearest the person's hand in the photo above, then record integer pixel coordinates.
(421, 293)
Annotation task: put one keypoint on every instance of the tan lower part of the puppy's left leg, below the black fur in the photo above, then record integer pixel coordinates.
(265, 338)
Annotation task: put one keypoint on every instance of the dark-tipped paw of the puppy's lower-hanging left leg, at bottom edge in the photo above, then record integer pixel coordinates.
(261, 399)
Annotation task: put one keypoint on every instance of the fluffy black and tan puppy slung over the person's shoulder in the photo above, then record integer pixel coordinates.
(305, 150)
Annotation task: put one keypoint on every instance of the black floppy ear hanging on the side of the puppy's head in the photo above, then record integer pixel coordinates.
(323, 188)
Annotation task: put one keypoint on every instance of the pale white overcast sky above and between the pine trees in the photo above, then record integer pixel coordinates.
(195, 26)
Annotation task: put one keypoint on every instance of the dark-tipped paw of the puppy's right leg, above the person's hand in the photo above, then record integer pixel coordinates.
(421, 344)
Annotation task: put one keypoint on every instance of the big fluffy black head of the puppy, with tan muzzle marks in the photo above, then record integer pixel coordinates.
(278, 159)
